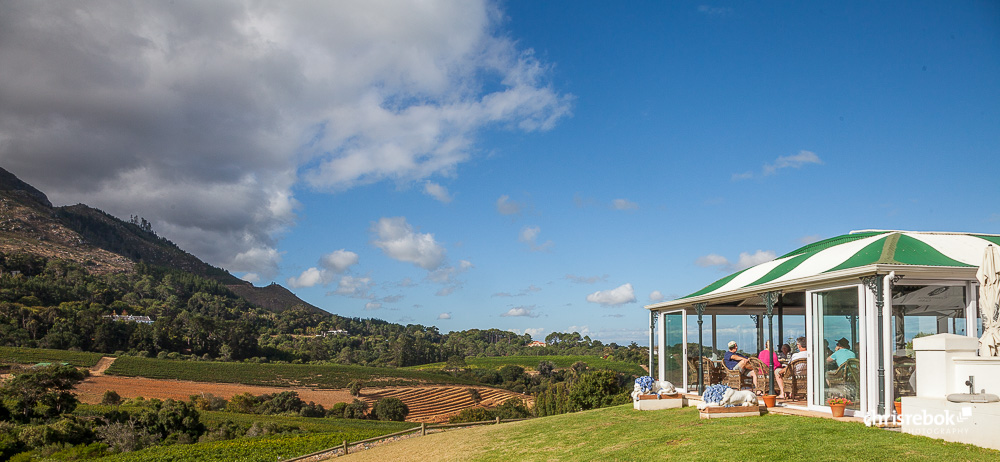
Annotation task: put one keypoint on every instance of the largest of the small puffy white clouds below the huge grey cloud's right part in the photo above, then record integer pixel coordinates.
(399, 241)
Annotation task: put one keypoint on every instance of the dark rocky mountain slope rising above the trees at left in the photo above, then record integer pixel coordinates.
(105, 244)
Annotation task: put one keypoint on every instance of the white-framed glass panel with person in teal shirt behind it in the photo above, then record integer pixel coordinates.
(834, 342)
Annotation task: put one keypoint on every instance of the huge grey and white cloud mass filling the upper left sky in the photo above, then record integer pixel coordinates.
(204, 117)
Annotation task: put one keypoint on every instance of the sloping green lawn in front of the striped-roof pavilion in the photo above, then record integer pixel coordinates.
(621, 433)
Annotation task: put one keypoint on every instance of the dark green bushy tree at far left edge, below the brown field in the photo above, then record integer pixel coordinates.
(42, 392)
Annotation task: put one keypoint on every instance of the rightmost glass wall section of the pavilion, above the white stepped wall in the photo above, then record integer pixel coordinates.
(917, 311)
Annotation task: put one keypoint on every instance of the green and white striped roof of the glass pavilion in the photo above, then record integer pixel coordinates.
(857, 250)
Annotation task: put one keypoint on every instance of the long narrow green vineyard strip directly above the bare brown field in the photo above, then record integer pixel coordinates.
(307, 375)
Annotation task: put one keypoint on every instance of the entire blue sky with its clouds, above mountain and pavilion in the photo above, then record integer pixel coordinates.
(533, 166)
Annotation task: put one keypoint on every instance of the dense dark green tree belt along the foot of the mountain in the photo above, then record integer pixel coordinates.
(52, 303)
